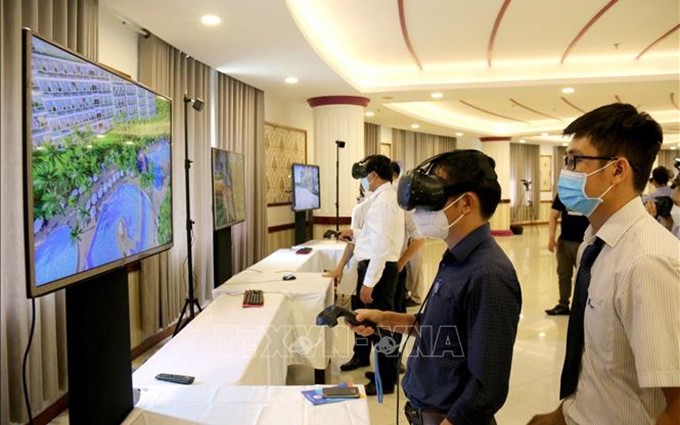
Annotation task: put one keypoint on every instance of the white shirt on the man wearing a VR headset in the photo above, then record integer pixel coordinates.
(382, 235)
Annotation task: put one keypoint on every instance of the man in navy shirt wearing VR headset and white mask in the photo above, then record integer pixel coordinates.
(459, 369)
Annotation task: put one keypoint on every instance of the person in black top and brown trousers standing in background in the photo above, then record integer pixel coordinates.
(572, 227)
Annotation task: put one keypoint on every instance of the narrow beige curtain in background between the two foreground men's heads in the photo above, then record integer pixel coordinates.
(524, 165)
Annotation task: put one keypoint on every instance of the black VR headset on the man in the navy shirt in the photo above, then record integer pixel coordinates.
(420, 189)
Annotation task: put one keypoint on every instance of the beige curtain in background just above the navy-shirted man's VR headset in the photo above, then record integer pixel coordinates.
(413, 148)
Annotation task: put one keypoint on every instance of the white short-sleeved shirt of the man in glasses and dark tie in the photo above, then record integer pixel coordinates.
(631, 323)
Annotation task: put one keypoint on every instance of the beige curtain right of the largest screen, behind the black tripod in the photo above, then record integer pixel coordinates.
(163, 282)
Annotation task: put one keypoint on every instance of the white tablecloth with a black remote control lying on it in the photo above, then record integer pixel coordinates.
(226, 345)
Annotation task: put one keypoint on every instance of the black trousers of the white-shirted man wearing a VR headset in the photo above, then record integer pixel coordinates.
(384, 295)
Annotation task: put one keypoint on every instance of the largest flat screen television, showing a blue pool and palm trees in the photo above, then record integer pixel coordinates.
(97, 171)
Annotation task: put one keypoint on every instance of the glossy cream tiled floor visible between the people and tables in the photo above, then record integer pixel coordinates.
(539, 349)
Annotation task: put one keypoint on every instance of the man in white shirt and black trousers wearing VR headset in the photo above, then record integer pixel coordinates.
(377, 247)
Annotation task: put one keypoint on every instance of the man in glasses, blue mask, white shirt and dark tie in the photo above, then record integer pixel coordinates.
(626, 365)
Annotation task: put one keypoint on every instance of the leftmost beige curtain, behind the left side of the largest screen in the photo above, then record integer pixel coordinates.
(72, 23)
